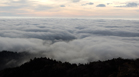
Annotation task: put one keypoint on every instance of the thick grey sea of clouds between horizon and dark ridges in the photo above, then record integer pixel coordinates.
(71, 39)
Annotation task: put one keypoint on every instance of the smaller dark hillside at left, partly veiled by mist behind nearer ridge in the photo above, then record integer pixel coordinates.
(12, 59)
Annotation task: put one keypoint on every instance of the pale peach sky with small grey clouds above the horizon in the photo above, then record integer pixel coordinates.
(70, 8)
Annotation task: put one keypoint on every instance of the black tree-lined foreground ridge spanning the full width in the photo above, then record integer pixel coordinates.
(45, 67)
